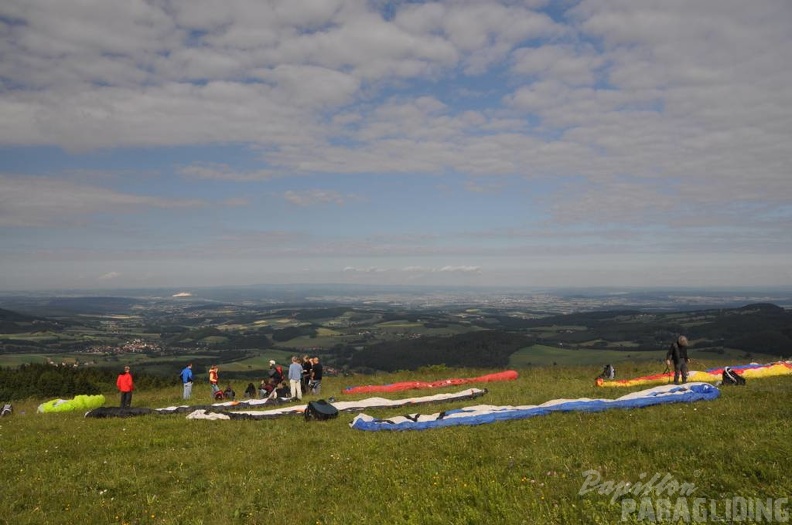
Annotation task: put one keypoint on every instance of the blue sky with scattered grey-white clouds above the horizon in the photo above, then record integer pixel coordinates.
(187, 143)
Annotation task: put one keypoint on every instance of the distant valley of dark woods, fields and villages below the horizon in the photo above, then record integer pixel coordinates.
(386, 329)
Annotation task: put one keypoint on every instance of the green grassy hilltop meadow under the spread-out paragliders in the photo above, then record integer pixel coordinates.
(165, 469)
